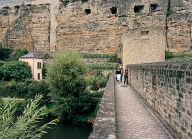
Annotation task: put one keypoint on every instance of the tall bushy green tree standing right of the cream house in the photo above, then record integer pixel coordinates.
(66, 81)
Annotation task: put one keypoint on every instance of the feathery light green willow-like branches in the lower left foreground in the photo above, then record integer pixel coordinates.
(24, 126)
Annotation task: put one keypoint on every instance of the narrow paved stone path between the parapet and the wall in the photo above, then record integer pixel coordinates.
(134, 120)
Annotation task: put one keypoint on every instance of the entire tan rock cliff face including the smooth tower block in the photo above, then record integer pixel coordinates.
(136, 29)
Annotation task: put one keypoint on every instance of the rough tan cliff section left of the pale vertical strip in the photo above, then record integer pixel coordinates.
(26, 26)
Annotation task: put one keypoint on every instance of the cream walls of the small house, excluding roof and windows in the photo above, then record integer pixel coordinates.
(32, 62)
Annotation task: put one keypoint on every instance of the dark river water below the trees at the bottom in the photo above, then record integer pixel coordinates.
(67, 131)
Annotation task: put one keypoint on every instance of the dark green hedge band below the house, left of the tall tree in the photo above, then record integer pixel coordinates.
(27, 90)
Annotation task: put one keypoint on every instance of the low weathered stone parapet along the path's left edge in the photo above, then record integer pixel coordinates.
(104, 126)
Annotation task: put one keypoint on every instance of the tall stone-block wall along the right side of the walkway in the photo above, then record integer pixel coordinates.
(167, 88)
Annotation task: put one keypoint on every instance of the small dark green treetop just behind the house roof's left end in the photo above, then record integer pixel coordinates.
(18, 53)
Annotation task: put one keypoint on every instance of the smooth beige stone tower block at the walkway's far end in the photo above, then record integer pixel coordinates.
(144, 45)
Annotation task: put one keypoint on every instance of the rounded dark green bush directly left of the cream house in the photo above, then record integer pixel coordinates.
(16, 70)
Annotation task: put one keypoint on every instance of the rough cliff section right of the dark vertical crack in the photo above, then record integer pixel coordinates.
(179, 24)
